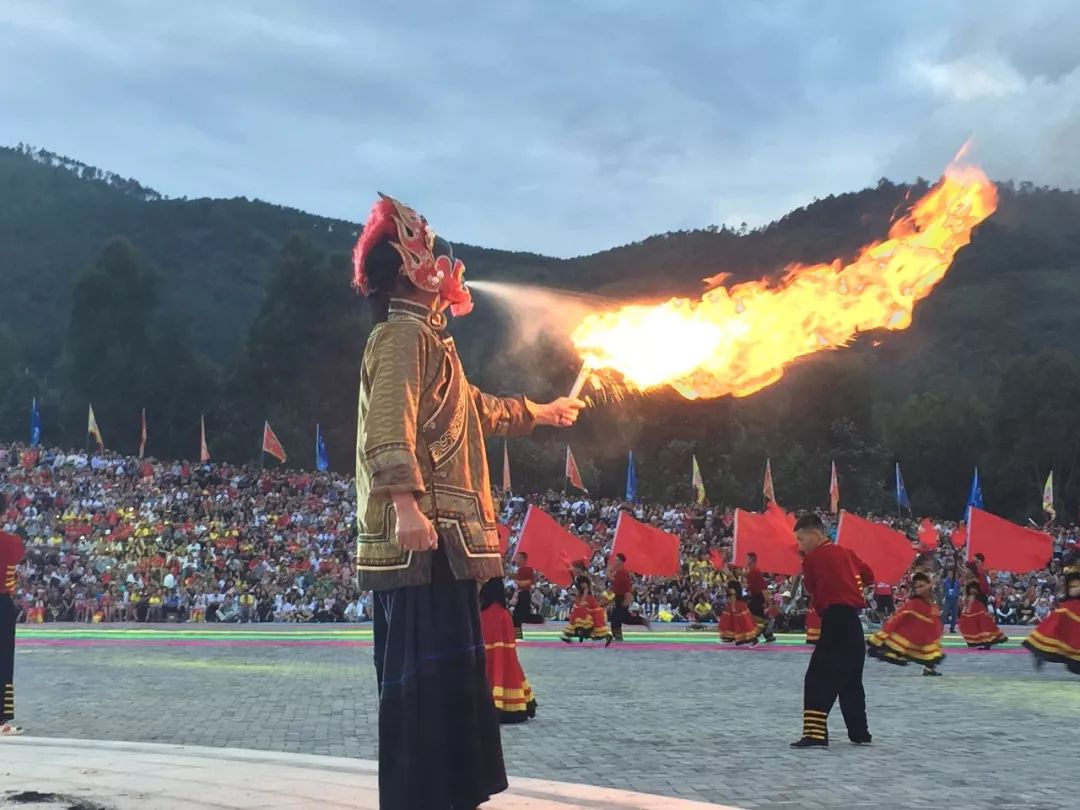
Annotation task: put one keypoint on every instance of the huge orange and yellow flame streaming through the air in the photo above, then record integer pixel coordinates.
(737, 341)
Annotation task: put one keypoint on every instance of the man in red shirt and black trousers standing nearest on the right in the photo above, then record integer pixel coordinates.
(831, 577)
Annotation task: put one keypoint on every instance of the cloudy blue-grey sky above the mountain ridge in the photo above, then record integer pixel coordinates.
(559, 127)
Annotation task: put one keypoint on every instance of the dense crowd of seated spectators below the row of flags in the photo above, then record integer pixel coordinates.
(118, 539)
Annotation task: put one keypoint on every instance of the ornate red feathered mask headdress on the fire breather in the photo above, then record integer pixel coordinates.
(414, 240)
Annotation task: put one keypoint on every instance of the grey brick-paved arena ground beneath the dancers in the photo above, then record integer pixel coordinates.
(684, 720)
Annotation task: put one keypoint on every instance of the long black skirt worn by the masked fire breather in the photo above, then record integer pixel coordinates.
(439, 731)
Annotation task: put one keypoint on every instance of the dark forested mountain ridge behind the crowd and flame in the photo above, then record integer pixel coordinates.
(242, 310)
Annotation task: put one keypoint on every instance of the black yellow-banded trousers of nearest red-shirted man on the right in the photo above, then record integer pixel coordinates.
(836, 671)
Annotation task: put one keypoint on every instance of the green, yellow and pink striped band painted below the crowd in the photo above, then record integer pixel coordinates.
(336, 637)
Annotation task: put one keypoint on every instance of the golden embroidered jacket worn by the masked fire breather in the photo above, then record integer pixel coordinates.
(422, 429)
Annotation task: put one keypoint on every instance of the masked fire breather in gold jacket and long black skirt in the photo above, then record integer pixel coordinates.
(427, 525)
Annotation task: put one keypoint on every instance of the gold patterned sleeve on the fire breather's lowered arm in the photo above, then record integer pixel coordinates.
(394, 373)
